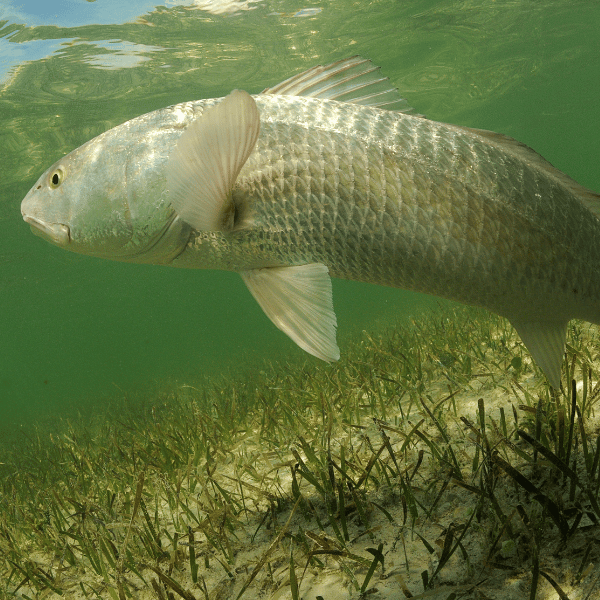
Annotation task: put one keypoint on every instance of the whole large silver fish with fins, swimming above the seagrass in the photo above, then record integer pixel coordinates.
(332, 174)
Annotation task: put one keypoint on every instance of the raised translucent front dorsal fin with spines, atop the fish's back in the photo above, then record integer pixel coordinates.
(353, 79)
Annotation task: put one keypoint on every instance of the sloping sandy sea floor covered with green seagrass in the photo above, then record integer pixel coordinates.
(433, 461)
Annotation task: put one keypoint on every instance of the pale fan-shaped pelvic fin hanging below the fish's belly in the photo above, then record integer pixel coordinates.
(299, 301)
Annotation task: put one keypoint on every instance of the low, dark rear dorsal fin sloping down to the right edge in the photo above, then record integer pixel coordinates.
(587, 197)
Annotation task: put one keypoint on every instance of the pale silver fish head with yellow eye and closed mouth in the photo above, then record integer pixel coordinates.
(108, 199)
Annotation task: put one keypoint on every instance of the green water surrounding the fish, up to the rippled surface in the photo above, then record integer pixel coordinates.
(77, 331)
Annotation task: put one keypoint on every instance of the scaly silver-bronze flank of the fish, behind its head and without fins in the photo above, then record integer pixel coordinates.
(397, 200)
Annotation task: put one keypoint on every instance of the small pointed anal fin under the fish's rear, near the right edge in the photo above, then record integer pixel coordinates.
(546, 341)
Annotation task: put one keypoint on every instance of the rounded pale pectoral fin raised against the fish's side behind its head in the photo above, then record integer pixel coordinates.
(209, 155)
